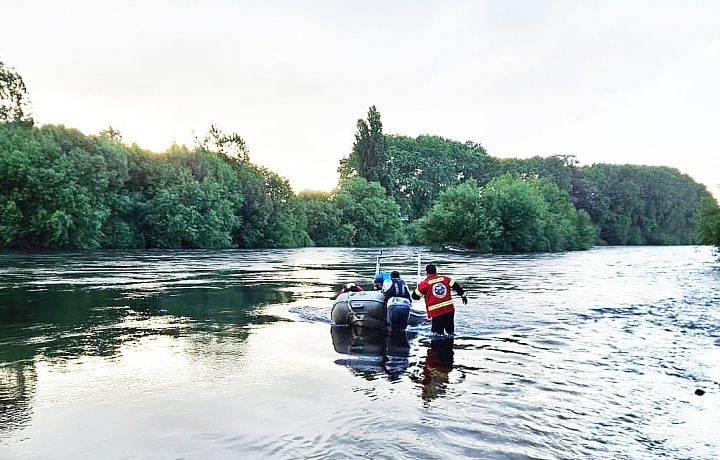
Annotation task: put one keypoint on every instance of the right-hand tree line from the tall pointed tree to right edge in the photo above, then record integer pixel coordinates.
(454, 193)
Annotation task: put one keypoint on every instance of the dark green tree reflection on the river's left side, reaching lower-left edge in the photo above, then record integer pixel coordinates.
(56, 314)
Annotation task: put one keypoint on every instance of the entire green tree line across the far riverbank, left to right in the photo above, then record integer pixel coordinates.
(60, 188)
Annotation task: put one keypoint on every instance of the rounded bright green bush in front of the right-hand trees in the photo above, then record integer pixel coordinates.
(507, 215)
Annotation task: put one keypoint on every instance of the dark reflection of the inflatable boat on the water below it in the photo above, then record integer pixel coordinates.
(372, 350)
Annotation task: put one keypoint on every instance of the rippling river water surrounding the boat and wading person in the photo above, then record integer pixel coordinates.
(231, 354)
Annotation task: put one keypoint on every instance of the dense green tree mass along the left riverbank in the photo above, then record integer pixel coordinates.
(62, 189)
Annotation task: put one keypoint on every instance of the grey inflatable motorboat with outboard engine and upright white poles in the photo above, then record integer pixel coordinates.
(367, 308)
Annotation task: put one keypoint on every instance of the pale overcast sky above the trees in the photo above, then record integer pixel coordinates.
(623, 82)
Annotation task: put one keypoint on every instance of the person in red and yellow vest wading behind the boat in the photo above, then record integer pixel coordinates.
(438, 299)
